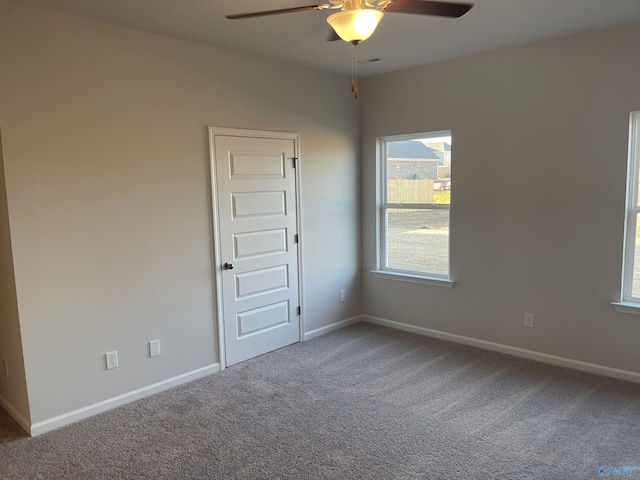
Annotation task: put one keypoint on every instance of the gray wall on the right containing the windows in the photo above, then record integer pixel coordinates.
(539, 160)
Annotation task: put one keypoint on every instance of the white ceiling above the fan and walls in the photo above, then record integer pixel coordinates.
(401, 40)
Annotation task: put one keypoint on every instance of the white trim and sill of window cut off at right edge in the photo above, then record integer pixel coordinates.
(628, 303)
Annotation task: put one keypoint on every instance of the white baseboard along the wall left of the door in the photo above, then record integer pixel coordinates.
(44, 426)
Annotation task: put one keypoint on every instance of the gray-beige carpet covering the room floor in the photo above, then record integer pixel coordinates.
(364, 402)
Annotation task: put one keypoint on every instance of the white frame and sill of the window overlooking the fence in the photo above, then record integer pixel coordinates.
(382, 268)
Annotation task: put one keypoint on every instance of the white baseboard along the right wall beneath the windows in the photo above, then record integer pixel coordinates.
(515, 351)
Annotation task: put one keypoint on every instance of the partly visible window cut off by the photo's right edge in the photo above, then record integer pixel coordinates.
(631, 265)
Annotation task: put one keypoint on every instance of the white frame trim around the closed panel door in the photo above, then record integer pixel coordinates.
(215, 230)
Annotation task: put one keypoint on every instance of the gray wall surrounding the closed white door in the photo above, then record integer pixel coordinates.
(107, 176)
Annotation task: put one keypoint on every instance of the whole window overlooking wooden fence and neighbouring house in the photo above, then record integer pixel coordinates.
(415, 196)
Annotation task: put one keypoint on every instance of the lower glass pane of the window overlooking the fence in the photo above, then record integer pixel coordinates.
(418, 240)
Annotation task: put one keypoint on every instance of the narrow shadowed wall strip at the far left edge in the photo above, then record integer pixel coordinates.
(13, 387)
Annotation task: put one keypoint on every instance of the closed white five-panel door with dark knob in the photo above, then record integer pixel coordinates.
(256, 243)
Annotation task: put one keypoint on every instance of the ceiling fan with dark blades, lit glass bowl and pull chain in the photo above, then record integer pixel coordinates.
(358, 19)
